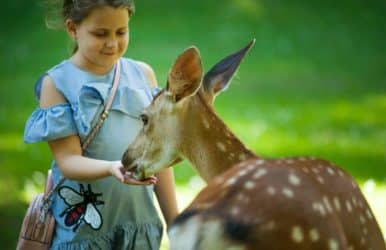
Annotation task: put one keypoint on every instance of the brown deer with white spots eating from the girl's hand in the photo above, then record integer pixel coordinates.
(249, 202)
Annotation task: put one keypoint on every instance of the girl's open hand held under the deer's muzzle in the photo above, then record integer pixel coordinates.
(126, 177)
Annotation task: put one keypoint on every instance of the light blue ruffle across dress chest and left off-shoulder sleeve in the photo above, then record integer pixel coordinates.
(62, 120)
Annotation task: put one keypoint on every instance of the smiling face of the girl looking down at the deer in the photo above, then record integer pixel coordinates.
(102, 38)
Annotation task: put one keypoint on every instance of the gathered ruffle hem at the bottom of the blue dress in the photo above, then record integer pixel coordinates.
(129, 236)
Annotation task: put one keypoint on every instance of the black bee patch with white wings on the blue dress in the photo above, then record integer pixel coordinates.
(82, 207)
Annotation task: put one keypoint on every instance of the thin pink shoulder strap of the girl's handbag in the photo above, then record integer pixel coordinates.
(94, 130)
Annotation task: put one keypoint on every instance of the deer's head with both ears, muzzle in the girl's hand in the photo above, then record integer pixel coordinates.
(167, 121)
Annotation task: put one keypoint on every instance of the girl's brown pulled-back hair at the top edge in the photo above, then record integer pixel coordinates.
(77, 10)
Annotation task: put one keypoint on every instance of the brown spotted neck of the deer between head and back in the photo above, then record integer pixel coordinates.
(208, 143)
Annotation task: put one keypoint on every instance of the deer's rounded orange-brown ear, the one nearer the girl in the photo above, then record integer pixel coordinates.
(185, 76)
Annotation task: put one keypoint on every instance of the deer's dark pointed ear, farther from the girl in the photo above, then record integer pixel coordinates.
(218, 78)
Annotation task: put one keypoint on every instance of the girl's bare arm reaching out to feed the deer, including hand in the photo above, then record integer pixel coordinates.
(68, 153)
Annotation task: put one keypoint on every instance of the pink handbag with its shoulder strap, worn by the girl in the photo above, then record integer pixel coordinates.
(38, 226)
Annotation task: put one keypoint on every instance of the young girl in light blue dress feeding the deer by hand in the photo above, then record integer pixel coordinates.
(95, 208)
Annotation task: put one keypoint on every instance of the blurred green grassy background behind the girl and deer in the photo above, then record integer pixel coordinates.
(314, 84)
